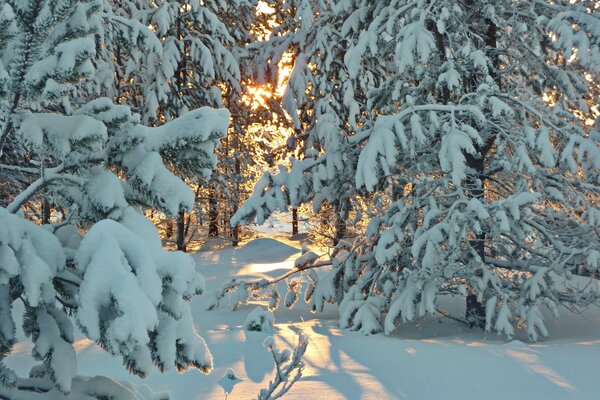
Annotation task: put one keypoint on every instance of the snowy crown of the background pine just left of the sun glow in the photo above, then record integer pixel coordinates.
(197, 56)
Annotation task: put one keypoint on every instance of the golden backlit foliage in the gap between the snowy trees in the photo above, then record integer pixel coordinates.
(258, 126)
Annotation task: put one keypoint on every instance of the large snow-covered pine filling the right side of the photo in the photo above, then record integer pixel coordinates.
(484, 179)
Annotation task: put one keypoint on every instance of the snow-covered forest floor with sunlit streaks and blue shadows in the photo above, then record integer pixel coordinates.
(437, 358)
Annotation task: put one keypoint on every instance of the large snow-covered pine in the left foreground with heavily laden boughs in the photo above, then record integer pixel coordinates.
(101, 265)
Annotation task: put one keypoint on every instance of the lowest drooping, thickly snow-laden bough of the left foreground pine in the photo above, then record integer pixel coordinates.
(137, 309)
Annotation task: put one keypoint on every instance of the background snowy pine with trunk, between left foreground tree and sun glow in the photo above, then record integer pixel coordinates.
(199, 65)
